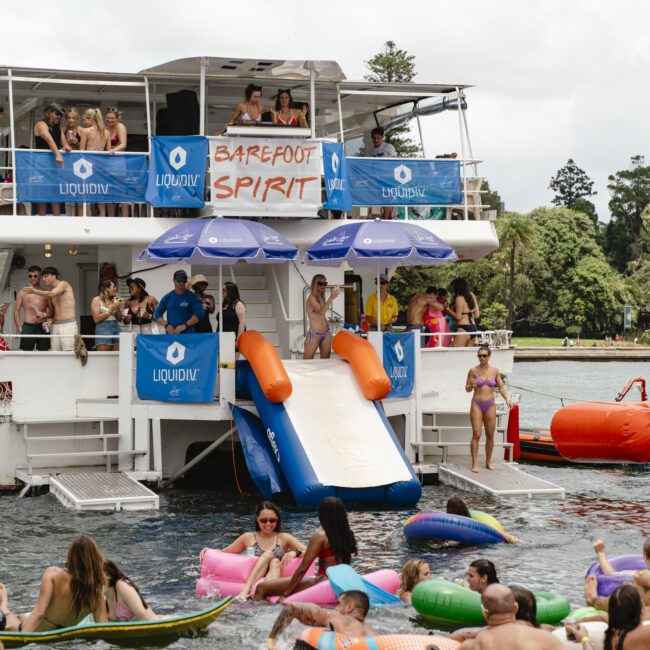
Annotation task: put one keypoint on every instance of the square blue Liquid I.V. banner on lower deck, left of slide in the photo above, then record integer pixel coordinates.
(176, 368)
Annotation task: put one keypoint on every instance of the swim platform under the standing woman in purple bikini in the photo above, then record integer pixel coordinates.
(506, 480)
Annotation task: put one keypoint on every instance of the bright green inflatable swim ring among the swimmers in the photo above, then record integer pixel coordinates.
(442, 601)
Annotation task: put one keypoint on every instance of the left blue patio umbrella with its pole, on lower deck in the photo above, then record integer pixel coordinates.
(220, 241)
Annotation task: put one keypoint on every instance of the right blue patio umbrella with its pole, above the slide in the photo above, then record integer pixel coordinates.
(379, 243)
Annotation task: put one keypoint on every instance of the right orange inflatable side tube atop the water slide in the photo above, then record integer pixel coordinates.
(367, 368)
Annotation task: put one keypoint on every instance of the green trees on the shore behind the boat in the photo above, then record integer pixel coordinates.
(559, 270)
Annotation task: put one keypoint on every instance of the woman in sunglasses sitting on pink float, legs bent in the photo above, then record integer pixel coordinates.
(268, 543)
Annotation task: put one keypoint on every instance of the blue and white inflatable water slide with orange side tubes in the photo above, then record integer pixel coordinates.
(321, 429)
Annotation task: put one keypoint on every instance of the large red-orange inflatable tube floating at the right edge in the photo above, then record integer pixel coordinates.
(603, 432)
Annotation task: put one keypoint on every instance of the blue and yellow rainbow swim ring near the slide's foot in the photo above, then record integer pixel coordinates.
(440, 525)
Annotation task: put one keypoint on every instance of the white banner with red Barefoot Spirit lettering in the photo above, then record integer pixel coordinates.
(265, 176)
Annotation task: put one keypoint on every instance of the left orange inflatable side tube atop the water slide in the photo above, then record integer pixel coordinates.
(266, 365)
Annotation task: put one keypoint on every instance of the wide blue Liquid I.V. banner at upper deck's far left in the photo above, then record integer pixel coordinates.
(84, 176)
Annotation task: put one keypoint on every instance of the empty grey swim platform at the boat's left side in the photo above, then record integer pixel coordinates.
(102, 491)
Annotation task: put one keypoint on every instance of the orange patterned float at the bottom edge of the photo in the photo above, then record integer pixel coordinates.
(323, 639)
